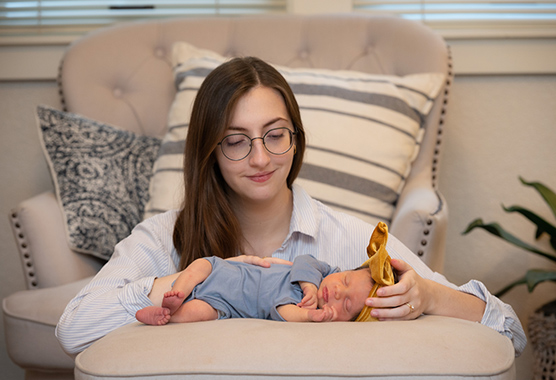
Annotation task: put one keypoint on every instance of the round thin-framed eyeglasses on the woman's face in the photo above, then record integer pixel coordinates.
(237, 146)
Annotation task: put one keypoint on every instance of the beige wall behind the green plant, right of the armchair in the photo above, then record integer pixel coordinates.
(499, 128)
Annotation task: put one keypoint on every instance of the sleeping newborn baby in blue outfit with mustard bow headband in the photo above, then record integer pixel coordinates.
(309, 290)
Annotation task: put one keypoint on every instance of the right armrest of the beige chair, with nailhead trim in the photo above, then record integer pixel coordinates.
(420, 222)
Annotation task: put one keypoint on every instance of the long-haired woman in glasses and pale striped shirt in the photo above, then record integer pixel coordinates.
(244, 149)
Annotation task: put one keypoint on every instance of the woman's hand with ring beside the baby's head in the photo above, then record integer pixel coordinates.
(407, 299)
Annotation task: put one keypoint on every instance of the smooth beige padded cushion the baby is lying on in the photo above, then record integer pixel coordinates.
(429, 347)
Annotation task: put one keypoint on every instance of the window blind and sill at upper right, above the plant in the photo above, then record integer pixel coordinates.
(508, 17)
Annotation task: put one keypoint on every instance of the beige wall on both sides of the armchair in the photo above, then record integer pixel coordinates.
(498, 127)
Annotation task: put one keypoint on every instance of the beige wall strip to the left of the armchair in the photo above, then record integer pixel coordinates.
(23, 173)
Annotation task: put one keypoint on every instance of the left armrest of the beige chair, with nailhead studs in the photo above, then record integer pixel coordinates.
(40, 233)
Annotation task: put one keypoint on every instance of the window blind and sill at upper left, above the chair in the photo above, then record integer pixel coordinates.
(21, 17)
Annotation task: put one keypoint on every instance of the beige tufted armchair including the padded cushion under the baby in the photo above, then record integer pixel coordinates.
(123, 76)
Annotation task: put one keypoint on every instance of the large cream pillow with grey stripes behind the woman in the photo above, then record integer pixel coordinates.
(363, 132)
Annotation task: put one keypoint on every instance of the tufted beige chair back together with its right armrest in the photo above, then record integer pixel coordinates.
(122, 75)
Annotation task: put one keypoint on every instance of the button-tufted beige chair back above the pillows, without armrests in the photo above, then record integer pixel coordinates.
(134, 90)
